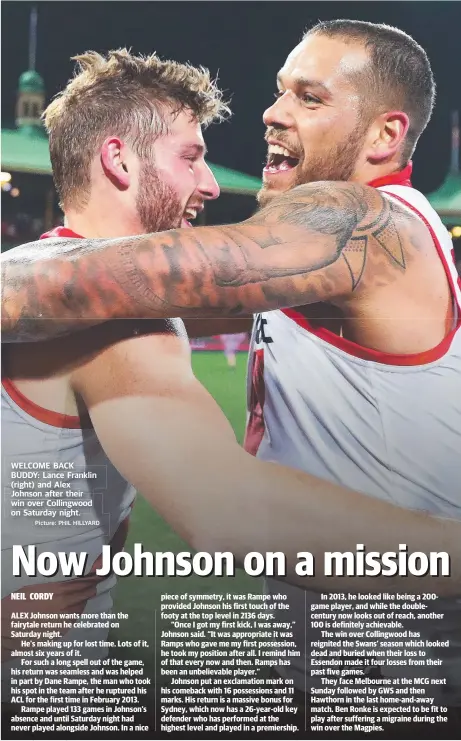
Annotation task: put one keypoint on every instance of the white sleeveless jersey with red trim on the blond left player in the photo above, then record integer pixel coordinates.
(60, 494)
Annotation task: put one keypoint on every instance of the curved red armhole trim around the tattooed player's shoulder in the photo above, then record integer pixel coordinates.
(423, 358)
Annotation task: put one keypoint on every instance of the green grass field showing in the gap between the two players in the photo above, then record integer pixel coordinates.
(140, 596)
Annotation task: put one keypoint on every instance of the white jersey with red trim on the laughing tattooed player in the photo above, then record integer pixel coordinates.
(385, 425)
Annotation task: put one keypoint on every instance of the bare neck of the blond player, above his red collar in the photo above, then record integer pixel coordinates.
(98, 220)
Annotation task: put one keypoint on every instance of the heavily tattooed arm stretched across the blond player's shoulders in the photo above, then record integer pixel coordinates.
(312, 244)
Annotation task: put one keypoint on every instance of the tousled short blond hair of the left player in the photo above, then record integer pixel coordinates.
(127, 96)
